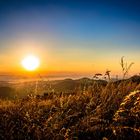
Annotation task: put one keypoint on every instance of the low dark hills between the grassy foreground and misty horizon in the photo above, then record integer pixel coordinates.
(66, 85)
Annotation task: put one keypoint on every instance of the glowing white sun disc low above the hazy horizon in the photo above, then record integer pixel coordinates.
(30, 63)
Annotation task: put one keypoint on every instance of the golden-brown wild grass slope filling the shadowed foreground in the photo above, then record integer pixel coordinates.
(100, 111)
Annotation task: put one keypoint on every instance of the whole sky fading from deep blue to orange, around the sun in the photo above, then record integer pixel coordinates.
(81, 36)
